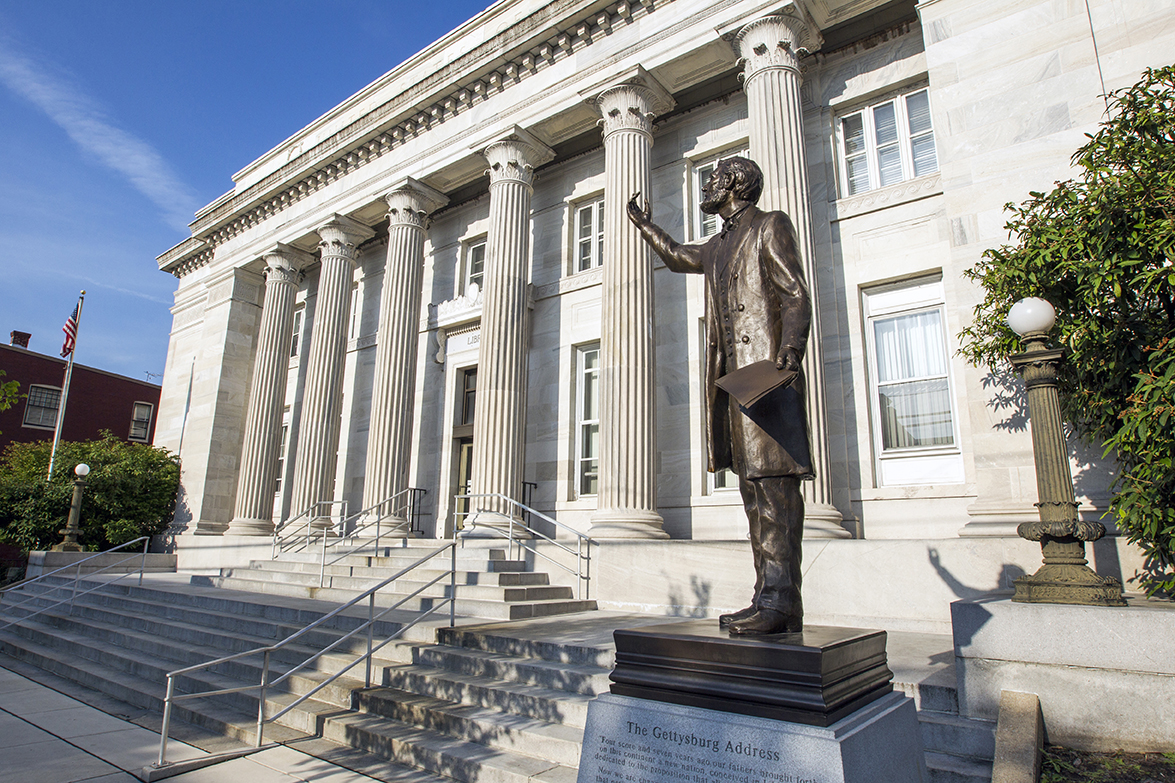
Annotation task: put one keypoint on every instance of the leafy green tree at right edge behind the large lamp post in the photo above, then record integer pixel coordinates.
(1100, 247)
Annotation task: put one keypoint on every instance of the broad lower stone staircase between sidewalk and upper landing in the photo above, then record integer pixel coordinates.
(486, 704)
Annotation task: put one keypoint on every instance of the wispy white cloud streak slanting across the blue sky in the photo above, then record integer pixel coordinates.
(85, 122)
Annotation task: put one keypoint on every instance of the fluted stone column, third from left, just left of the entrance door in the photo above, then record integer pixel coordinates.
(393, 399)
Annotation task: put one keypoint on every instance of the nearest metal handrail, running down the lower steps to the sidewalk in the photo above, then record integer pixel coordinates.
(267, 652)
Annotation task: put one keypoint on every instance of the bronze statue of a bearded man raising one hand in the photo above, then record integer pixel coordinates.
(757, 310)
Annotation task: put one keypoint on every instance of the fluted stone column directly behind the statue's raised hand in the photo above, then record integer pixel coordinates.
(628, 418)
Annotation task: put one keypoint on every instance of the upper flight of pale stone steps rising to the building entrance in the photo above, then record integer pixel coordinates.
(488, 584)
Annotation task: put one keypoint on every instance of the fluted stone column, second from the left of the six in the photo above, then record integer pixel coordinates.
(318, 444)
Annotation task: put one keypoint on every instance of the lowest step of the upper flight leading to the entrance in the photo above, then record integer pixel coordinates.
(495, 610)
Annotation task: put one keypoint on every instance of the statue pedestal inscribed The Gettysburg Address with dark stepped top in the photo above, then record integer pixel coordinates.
(690, 704)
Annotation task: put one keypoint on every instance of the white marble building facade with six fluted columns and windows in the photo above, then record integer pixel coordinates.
(454, 233)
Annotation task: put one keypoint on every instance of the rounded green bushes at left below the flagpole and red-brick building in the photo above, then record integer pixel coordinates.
(130, 493)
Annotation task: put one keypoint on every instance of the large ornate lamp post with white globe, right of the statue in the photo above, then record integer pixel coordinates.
(1066, 577)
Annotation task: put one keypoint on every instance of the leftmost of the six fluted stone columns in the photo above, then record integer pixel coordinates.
(254, 511)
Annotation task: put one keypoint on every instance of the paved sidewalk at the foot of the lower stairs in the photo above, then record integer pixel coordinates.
(50, 738)
